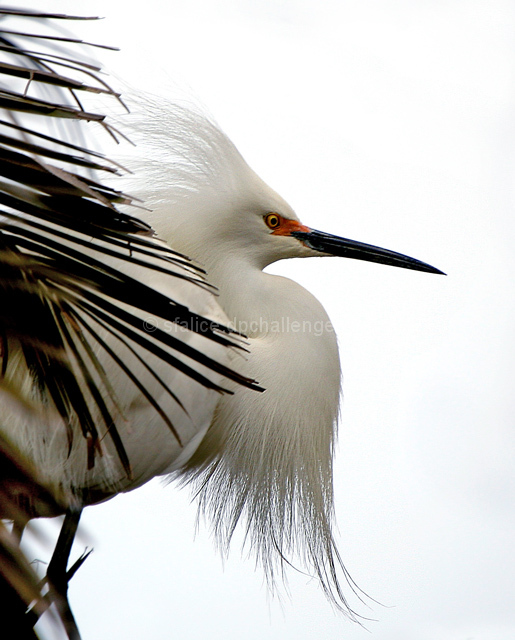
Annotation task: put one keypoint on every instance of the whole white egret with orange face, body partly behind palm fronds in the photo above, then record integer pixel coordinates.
(262, 454)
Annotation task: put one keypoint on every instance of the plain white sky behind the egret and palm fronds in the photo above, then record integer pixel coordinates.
(392, 123)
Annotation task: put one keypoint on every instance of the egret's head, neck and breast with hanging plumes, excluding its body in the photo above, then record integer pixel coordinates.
(265, 456)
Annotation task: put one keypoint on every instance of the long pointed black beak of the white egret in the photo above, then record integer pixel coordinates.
(345, 248)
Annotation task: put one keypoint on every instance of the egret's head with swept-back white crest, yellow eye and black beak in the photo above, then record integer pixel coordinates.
(209, 204)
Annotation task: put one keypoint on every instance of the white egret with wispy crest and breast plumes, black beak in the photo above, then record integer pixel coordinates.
(262, 456)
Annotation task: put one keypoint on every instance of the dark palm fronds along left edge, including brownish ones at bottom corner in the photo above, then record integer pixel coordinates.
(66, 252)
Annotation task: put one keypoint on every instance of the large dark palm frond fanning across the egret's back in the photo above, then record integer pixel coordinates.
(57, 286)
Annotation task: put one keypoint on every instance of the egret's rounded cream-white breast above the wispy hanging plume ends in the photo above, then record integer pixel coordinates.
(293, 354)
